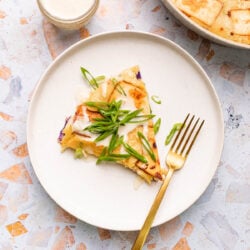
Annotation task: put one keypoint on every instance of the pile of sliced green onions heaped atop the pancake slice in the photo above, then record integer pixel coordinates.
(113, 117)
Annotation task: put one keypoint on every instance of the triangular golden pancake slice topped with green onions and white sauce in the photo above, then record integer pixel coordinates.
(115, 124)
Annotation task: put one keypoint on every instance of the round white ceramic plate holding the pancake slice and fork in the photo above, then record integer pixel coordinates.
(107, 195)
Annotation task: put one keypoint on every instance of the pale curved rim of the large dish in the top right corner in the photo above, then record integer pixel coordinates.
(200, 30)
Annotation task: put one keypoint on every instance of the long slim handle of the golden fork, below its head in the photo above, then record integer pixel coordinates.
(141, 237)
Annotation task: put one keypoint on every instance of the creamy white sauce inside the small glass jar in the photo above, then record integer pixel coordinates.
(67, 9)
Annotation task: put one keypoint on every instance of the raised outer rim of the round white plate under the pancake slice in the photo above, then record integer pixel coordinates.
(140, 33)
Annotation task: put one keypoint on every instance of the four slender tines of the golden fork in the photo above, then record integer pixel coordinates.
(186, 136)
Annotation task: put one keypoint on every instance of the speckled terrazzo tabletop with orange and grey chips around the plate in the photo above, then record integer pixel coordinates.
(29, 219)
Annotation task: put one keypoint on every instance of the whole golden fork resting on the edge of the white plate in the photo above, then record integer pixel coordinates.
(175, 160)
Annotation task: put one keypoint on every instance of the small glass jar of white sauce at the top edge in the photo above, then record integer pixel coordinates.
(68, 14)
